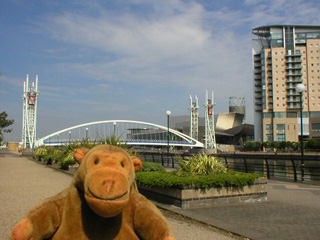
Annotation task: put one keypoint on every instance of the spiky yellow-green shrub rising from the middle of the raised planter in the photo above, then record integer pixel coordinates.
(200, 164)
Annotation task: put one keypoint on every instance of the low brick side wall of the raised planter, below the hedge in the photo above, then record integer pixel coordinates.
(195, 197)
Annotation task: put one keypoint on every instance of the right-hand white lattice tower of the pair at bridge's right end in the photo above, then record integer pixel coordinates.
(210, 139)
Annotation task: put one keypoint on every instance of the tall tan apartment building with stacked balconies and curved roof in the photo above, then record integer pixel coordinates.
(284, 56)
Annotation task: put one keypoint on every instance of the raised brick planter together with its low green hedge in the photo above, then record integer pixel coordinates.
(202, 191)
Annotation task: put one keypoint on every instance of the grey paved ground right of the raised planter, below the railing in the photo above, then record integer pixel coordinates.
(291, 212)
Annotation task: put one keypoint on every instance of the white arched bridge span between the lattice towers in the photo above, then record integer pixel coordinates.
(127, 131)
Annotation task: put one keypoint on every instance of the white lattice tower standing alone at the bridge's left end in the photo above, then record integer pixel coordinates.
(29, 118)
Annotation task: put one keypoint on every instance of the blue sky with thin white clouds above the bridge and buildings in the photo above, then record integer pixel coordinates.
(105, 60)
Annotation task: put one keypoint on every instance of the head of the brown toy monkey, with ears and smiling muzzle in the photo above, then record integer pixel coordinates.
(106, 177)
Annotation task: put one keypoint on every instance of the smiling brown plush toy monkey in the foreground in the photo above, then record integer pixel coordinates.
(102, 202)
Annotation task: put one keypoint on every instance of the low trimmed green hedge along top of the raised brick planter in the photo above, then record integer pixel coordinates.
(170, 179)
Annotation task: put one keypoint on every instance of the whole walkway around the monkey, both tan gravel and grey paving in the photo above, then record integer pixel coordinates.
(291, 212)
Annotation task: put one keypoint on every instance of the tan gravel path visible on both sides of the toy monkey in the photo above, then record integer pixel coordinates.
(23, 183)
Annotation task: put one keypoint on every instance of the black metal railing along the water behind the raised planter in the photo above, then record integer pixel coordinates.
(274, 166)
